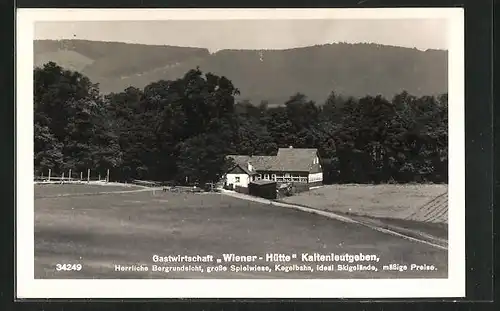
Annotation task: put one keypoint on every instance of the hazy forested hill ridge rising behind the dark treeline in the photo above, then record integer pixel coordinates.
(271, 75)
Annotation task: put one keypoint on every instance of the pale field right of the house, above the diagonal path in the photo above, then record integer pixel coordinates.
(421, 203)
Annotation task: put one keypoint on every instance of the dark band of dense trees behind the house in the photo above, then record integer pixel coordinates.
(183, 129)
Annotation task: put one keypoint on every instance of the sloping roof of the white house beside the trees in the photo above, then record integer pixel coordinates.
(287, 160)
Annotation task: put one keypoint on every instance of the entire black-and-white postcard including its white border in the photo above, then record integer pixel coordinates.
(240, 153)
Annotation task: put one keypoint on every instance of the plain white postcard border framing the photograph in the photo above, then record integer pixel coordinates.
(28, 287)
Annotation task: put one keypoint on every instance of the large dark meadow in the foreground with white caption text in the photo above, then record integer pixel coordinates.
(101, 231)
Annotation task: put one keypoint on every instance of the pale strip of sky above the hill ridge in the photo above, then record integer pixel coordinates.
(254, 34)
